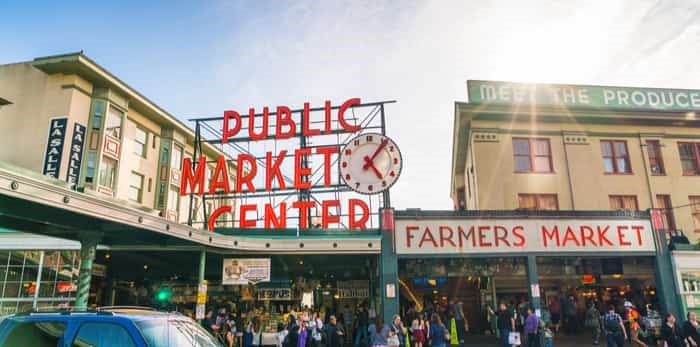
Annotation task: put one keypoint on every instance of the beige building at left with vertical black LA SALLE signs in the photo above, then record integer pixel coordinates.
(67, 117)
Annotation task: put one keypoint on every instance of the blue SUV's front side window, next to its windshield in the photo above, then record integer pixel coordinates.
(102, 335)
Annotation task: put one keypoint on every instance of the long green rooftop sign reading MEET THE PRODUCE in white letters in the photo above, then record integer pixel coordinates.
(587, 96)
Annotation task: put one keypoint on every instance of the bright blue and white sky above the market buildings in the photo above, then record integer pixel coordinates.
(198, 58)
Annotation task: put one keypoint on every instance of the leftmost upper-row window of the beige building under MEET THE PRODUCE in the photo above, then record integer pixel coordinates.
(532, 155)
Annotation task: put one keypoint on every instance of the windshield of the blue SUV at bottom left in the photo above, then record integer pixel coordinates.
(176, 332)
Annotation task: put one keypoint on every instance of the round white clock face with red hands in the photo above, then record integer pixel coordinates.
(370, 163)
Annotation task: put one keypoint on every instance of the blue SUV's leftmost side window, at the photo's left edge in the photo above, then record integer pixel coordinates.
(36, 334)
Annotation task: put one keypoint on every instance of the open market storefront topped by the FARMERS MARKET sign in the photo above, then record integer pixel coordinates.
(486, 258)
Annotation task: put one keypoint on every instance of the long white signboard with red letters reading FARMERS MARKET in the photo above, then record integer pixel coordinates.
(469, 235)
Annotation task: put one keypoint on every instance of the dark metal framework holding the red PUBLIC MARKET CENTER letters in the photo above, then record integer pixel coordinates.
(370, 117)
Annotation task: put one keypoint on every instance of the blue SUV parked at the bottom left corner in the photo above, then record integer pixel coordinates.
(105, 327)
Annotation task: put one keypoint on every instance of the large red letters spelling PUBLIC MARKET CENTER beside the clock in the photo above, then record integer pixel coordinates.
(247, 169)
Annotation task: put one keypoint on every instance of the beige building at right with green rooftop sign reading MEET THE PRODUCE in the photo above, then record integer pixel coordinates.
(559, 147)
